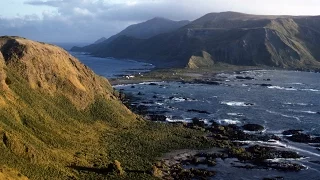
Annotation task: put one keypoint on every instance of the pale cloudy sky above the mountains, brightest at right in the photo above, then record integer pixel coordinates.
(84, 21)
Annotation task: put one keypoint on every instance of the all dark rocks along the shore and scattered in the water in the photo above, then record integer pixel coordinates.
(230, 143)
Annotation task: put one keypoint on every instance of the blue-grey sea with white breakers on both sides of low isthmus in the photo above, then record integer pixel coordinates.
(278, 100)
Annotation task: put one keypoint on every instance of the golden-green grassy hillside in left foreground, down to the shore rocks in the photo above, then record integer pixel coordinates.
(58, 120)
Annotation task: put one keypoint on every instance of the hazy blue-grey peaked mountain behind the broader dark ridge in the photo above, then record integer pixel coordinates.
(142, 30)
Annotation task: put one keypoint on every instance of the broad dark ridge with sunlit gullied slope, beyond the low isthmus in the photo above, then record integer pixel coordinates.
(229, 37)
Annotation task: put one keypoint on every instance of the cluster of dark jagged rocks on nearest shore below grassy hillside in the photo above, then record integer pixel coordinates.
(183, 165)
